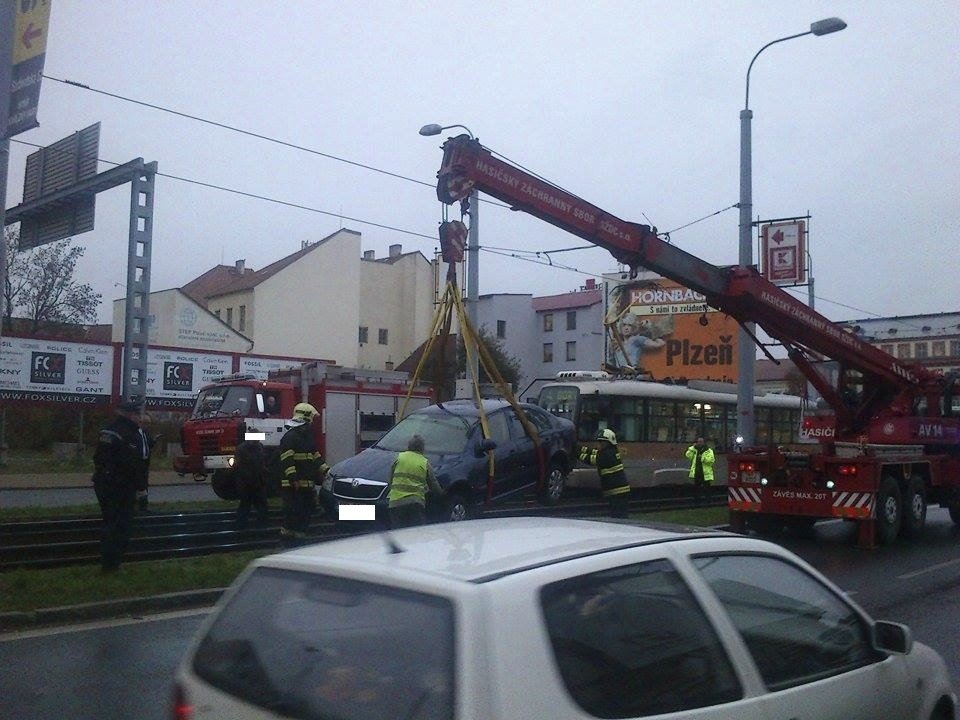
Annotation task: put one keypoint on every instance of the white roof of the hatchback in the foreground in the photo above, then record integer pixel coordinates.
(478, 550)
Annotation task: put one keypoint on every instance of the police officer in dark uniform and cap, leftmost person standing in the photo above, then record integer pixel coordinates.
(118, 462)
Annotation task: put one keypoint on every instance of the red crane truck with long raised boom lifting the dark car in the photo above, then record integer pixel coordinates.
(892, 442)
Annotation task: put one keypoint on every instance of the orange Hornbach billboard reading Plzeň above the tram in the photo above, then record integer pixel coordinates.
(667, 330)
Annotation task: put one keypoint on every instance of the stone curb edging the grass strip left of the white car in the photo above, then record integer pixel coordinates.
(108, 610)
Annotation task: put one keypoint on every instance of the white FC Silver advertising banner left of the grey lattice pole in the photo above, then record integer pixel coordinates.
(55, 371)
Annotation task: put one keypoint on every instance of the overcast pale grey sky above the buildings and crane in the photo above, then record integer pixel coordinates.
(632, 105)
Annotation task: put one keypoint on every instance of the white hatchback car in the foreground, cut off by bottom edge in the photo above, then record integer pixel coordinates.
(549, 618)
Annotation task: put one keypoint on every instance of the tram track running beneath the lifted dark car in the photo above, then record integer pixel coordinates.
(76, 541)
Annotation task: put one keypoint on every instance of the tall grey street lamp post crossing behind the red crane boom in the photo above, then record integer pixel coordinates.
(747, 360)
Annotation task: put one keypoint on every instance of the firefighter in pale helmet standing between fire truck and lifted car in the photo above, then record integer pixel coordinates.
(301, 468)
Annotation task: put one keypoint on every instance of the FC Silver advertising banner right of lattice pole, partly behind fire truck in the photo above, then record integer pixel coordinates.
(175, 376)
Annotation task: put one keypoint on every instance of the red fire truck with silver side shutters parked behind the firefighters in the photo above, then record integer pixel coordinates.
(356, 407)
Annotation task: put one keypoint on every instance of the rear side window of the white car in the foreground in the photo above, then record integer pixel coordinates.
(633, 641)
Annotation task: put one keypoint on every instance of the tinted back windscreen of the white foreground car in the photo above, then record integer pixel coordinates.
(319, 647)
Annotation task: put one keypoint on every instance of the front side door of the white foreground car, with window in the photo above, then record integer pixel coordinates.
(810, 646)
